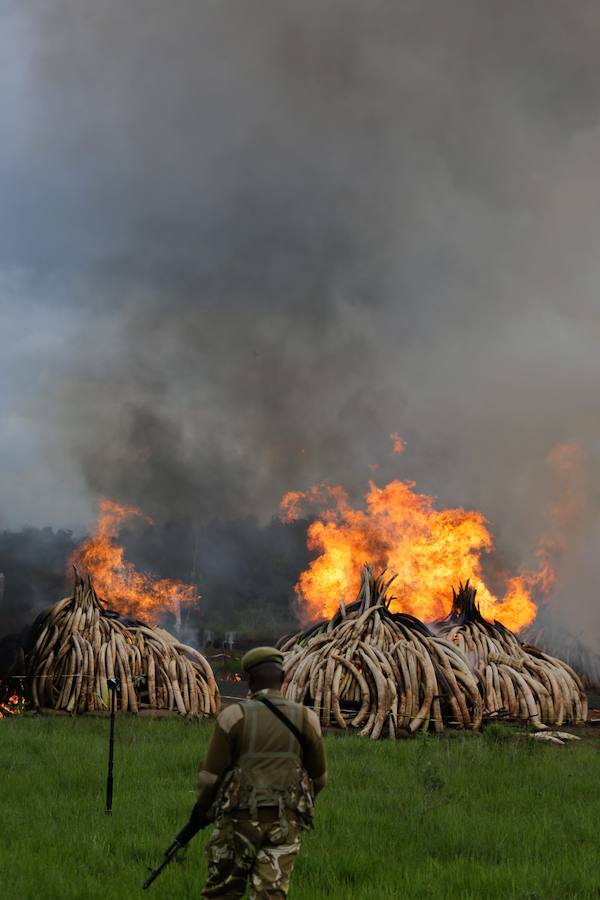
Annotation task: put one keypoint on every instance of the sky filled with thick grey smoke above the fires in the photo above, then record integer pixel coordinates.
(242, 243)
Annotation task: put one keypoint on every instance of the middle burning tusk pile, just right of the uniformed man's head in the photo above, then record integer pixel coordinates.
(379, 672)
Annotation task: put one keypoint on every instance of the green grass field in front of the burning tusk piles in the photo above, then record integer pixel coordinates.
(459, 817)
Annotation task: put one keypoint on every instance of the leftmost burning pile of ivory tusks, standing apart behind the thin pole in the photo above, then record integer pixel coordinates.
(81, 643)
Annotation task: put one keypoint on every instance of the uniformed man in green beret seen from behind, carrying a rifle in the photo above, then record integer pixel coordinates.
(264, 766)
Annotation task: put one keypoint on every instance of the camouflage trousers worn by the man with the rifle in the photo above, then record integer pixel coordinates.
(242, 848)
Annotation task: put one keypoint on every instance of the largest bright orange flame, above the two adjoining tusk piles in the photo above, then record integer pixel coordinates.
(430, 549)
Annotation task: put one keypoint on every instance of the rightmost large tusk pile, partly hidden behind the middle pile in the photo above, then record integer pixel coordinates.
(518, 681)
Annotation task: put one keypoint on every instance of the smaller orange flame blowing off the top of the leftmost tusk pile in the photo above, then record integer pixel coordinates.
(117, 580)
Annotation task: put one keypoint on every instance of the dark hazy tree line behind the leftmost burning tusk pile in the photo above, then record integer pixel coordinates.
(244, 571)
